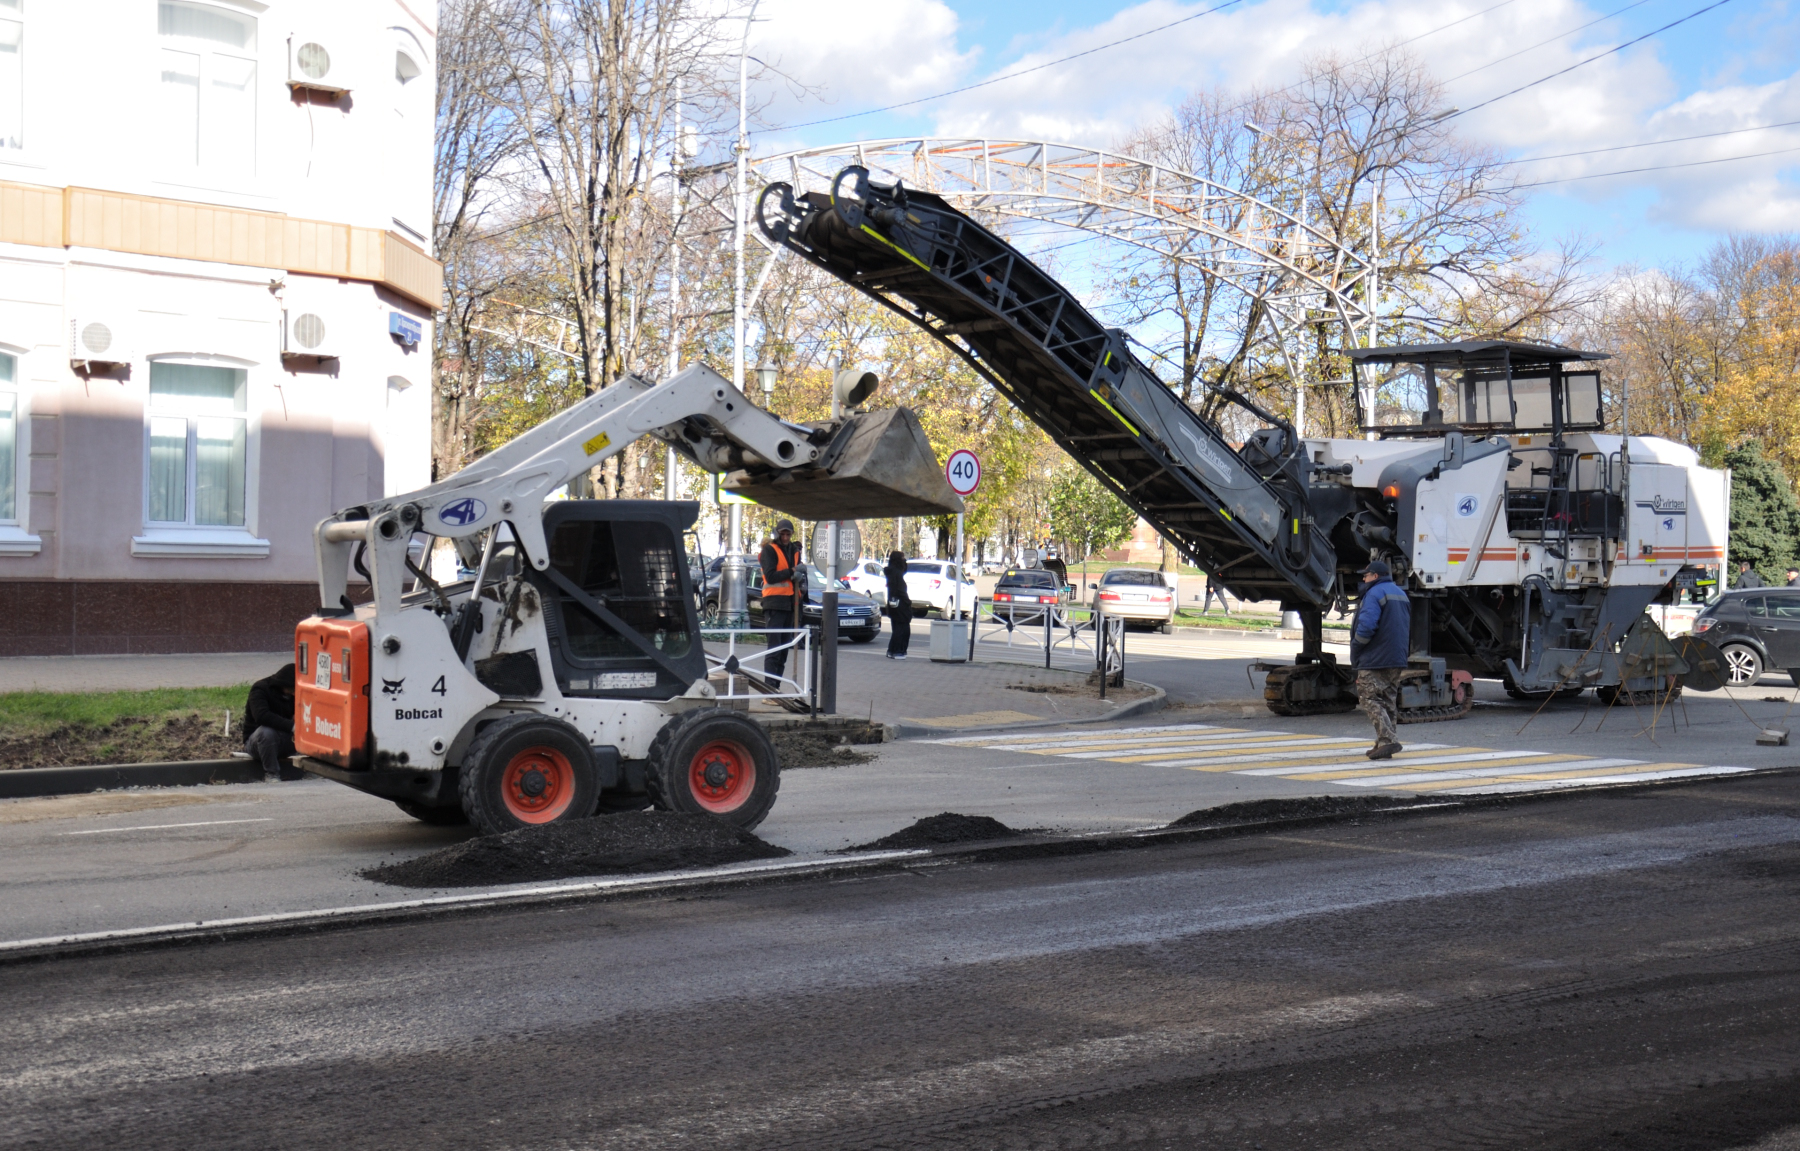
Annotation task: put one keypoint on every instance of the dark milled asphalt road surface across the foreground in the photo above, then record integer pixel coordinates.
(1596, 970)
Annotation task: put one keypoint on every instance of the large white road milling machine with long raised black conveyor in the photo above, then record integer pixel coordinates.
(1527, 536)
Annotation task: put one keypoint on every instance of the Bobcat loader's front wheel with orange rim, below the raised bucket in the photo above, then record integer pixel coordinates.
(719, 763)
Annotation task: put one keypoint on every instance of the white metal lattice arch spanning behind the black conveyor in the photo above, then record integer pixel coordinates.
(1263, 249)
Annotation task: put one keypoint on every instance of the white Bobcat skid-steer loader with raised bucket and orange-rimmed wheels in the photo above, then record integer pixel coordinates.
(570, 673)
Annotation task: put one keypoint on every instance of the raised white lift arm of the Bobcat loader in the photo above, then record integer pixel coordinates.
(696, 412)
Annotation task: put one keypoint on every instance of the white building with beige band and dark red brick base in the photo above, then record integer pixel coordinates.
(217, 305)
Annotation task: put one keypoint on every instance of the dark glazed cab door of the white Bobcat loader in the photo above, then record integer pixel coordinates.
(620, 601)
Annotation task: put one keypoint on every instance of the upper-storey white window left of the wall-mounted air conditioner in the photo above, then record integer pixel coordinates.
(208, 86)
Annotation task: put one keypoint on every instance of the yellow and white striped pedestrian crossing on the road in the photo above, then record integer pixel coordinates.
(1313, 759)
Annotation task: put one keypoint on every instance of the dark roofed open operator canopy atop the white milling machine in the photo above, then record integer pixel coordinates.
(1477, 386)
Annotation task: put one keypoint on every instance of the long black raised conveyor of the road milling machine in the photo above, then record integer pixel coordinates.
(1070, 376)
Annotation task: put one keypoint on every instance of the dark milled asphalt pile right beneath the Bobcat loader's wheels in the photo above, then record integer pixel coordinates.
(625, 844)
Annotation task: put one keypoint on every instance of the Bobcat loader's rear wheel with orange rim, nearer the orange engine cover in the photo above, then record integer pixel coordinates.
(528, 770)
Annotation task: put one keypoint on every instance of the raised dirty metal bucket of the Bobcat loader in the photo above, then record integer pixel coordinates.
(877, 466)
